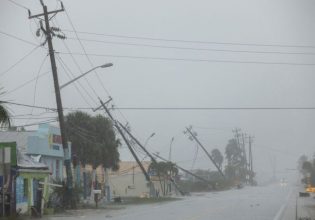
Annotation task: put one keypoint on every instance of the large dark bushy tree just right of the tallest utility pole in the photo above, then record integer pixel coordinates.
(93, 139)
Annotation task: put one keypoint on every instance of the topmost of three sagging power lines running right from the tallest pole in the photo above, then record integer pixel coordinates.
(193, 41)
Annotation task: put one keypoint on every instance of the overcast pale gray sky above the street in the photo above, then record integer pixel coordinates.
(283, 134)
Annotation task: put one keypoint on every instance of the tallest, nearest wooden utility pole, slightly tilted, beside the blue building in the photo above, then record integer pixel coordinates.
(49, 32)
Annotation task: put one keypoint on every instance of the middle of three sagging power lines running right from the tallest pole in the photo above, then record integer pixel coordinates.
(194, 48)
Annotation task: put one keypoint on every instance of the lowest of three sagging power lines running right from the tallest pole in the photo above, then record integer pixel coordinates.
(193, 60)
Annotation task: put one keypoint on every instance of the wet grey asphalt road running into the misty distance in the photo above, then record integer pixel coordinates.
(272, 202)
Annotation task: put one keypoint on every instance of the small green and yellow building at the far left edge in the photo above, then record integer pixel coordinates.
(20, 179)
